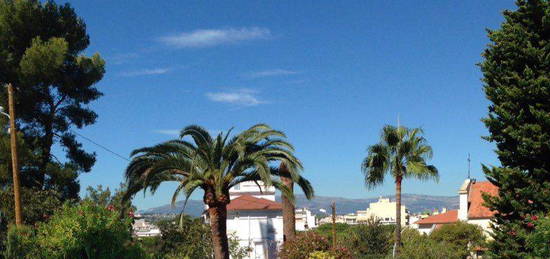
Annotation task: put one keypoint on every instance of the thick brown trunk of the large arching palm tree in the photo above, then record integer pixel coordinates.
(218, 226)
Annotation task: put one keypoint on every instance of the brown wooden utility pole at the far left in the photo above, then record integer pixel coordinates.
(14, 161)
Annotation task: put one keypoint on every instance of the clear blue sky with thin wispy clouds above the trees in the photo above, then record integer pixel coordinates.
(330, 74)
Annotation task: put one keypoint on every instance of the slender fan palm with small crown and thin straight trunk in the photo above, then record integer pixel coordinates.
(402, 153)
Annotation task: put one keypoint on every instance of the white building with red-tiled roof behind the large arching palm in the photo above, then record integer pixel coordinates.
(255, 219)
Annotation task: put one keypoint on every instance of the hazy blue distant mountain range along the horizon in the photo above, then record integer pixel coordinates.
(414, 202)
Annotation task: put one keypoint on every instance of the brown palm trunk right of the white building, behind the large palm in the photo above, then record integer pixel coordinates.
(289, 213)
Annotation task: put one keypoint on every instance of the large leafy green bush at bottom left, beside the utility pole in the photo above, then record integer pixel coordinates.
(82, 231)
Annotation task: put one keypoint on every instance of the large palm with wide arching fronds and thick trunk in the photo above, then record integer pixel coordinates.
(215, 165)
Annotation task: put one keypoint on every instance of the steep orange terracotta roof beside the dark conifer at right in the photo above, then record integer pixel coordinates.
(476, 209)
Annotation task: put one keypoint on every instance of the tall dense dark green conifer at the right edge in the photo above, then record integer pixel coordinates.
(516, 70)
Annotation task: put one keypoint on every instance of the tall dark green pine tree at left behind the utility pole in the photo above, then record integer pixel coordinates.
(41, 46)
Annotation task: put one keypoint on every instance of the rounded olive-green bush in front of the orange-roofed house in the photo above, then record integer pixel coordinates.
(461, 235)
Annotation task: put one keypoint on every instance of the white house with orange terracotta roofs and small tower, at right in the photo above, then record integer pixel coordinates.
(471, 208)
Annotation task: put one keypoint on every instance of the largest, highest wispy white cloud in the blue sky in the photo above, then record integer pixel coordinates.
(213, 37)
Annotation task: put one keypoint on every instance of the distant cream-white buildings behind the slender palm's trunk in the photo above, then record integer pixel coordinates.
(383, 210)
